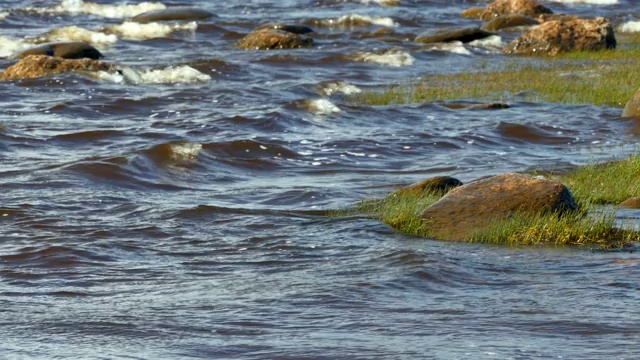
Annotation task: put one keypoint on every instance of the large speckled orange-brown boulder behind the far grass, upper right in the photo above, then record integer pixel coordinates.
(557, 37)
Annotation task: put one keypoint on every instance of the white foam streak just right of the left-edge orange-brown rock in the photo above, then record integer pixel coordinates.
(171, 75)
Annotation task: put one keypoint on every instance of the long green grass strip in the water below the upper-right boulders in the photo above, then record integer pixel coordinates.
(602, 78)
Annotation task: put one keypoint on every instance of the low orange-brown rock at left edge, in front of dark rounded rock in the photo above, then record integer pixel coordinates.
(41, 65)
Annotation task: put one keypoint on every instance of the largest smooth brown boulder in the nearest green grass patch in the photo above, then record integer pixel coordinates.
(467, 210)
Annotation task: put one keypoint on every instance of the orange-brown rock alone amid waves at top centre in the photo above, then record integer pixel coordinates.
(269, 39)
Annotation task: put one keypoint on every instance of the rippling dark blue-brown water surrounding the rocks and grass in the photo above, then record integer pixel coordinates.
(181, 213)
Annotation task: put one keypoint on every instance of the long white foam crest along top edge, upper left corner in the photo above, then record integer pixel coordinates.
(108, 11)
